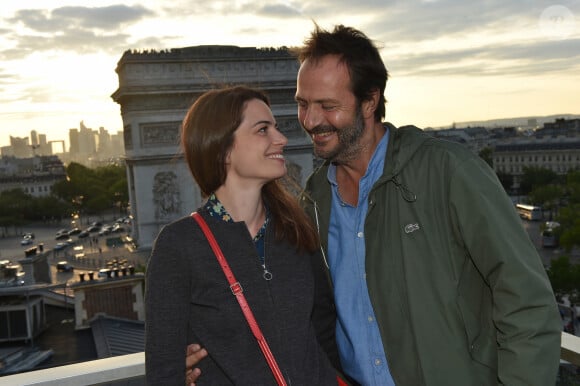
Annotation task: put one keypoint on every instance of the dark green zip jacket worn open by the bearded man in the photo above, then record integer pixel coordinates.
(459, 291)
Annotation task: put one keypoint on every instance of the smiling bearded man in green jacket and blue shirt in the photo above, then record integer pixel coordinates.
(435, 280)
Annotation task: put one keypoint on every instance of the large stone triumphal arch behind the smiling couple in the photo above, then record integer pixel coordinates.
(155, 91)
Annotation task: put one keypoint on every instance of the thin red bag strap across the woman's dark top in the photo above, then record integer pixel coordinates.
(238, 292)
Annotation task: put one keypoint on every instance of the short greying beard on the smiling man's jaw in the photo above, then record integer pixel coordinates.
(348, 147)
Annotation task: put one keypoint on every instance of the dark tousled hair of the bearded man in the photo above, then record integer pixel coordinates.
(365, 65)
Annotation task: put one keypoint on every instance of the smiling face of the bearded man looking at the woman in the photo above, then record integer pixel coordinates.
(328, 110)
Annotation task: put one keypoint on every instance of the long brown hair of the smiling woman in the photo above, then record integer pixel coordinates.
(207, 136)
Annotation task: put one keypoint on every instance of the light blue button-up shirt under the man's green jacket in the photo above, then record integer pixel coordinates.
(357, 334)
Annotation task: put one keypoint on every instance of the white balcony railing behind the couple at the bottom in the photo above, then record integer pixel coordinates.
(133, 366)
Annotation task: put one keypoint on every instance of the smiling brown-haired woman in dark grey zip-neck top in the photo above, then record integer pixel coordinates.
(235, 153)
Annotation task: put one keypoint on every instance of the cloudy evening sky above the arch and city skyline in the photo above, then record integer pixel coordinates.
(449, 60)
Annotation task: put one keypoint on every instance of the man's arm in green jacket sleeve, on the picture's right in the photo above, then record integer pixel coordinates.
(524, 308)
